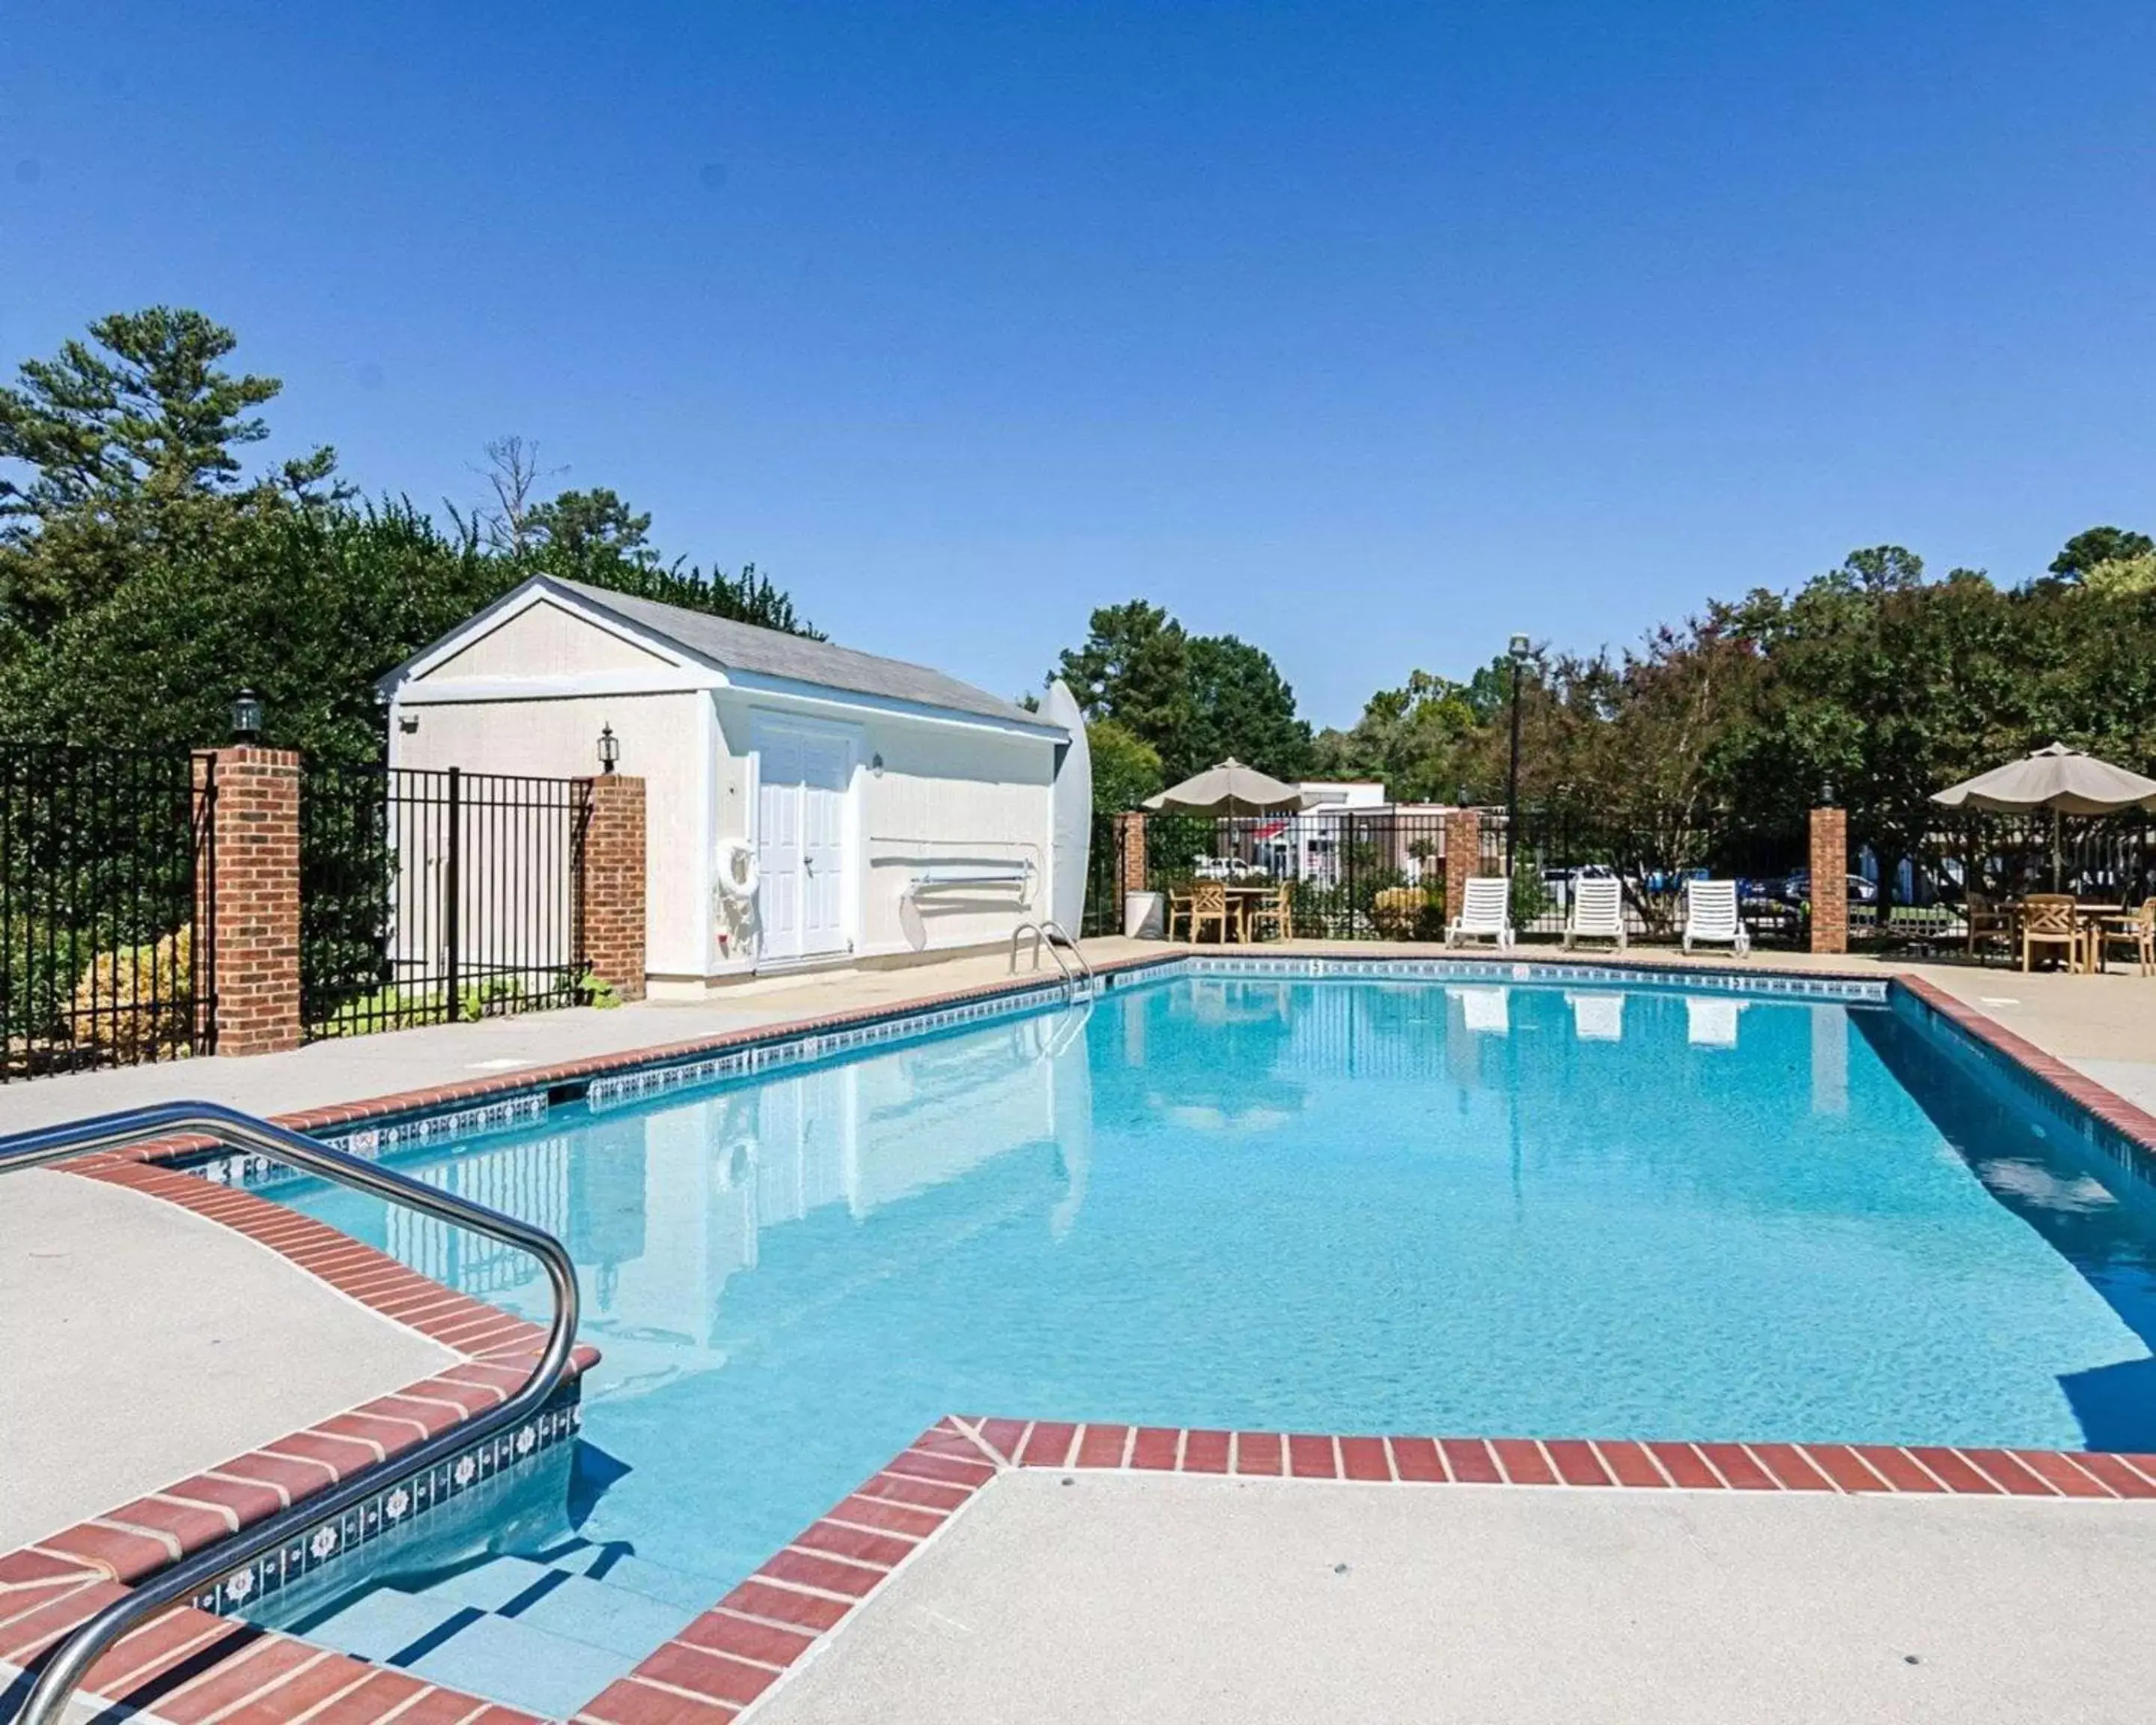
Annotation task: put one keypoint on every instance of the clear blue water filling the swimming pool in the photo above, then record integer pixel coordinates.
(1338, 1206)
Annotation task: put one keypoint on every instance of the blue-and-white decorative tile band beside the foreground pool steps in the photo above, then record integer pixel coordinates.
(396, 1508)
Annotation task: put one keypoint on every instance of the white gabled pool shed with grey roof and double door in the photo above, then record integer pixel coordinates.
(805, 803)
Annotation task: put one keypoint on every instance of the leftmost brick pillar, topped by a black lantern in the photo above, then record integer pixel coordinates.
(249, 898)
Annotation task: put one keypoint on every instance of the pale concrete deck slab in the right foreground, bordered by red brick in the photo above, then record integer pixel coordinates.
(1096, 1597)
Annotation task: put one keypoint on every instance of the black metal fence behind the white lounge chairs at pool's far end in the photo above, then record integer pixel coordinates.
(1381, 874)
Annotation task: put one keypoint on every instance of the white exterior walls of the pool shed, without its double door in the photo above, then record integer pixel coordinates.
(534, 693)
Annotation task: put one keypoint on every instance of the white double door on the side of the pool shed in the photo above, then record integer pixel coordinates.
(803, 792)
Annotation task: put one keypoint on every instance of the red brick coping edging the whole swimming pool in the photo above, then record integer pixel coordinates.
(189, 1668)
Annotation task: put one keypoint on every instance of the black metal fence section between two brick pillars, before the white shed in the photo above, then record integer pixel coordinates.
(437, 896)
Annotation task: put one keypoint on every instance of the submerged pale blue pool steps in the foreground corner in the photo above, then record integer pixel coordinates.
(538, 1636)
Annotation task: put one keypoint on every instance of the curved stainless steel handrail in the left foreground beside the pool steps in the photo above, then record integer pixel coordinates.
(227, 1127)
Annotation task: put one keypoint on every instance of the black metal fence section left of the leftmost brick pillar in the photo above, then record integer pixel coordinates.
(107, 913)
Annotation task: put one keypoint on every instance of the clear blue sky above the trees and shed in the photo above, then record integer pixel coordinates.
(1366, 333)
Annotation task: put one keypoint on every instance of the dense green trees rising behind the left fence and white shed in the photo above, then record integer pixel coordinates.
(146, 577)
